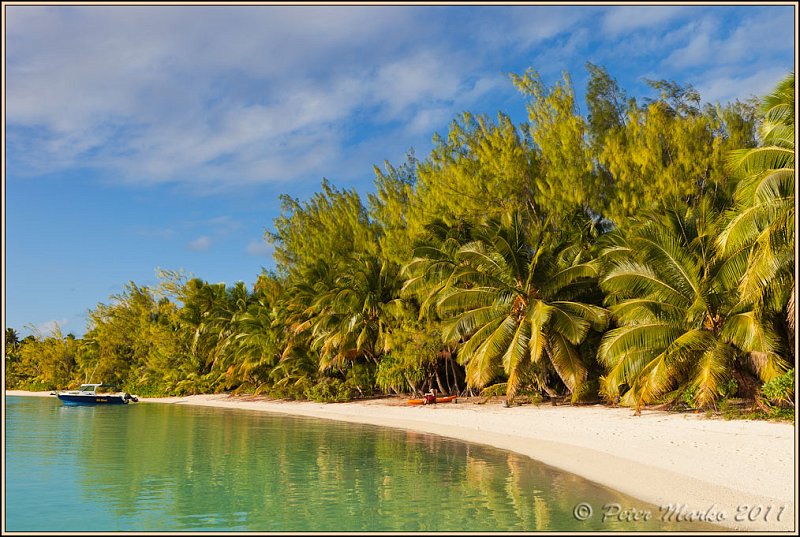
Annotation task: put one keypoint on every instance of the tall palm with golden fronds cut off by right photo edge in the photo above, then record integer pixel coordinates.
(762, 219)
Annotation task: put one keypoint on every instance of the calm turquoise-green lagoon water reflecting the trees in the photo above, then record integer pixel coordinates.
(157, 467)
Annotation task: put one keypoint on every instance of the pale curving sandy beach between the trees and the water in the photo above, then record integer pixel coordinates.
(661, 458)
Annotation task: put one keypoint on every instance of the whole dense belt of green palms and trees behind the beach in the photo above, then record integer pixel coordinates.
(640, 254)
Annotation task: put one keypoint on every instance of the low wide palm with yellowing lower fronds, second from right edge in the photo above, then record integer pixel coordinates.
(681, 326)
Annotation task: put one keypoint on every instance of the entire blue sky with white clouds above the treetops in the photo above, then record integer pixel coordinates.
(140, 138)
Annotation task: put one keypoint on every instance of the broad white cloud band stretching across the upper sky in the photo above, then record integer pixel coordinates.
(214, 96)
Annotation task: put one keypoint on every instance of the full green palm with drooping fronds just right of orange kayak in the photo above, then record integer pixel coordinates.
(513, 305)
